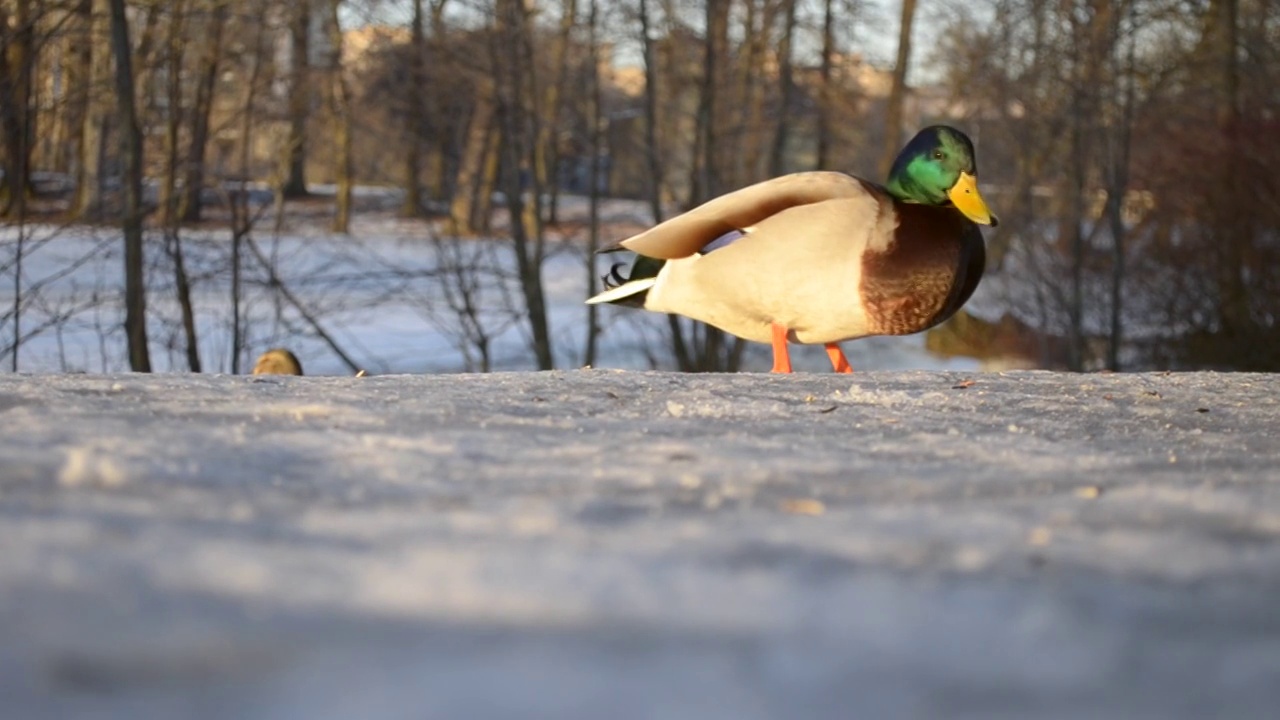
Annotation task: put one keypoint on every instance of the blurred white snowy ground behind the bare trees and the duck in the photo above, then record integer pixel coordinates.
(388, 295)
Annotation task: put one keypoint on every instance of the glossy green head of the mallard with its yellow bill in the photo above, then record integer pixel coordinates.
(939, 168)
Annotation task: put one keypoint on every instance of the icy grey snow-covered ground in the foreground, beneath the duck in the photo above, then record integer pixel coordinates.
(641, 545)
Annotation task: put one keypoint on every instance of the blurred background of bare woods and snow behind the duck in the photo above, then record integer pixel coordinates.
(419, 185)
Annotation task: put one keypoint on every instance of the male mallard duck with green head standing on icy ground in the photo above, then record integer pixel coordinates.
(821, 257)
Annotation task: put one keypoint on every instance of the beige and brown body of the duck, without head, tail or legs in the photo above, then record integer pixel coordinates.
(836, 281)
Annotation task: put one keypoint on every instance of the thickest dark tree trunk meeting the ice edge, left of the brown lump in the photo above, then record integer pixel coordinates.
(131, 192)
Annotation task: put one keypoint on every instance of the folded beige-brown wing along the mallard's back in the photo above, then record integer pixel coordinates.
(691, 233)
